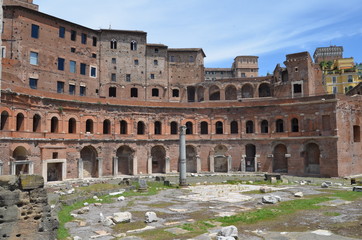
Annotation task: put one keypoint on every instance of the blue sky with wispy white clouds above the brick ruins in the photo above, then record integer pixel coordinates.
(225, 29)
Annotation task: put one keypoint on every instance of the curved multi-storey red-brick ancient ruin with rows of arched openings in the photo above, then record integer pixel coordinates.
(84, 103)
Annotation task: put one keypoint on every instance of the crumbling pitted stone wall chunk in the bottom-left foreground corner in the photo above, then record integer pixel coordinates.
(24, 209)
